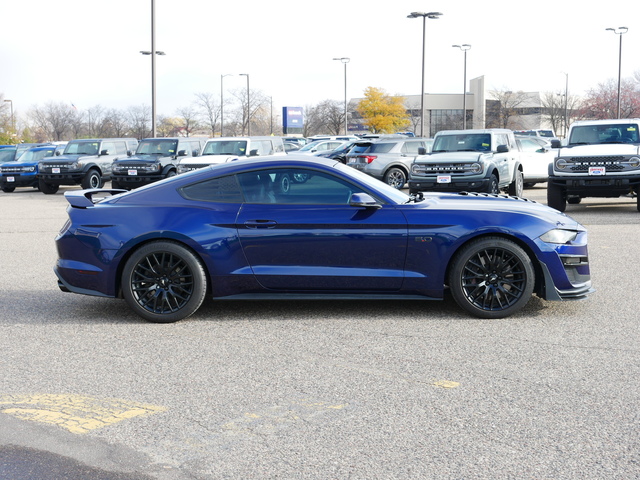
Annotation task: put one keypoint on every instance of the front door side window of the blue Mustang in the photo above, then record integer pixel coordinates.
(295, 187)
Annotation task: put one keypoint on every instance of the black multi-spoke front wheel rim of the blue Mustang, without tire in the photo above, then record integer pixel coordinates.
(494, 279)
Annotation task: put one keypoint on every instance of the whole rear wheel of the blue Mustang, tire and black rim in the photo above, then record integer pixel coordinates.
(164, 282)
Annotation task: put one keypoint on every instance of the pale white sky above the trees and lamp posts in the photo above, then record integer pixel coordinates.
(87, 53)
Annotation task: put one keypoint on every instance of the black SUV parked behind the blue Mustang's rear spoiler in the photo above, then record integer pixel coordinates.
(155, 159)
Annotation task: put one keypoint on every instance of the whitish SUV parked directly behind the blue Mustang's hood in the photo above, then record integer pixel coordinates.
(485, 160)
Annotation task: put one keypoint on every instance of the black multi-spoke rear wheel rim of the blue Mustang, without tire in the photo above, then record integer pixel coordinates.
(162, 283)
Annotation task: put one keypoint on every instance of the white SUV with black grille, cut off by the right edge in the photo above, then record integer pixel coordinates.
(601, 159)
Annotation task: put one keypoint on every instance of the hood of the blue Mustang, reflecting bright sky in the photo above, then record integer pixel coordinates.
(489, 205)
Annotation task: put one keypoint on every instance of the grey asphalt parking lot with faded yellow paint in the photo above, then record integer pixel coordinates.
(318, 390)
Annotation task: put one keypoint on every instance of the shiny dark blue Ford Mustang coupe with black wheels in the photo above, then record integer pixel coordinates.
(296, 227)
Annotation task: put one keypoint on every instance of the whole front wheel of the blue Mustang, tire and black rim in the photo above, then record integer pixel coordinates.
(492, 278)
